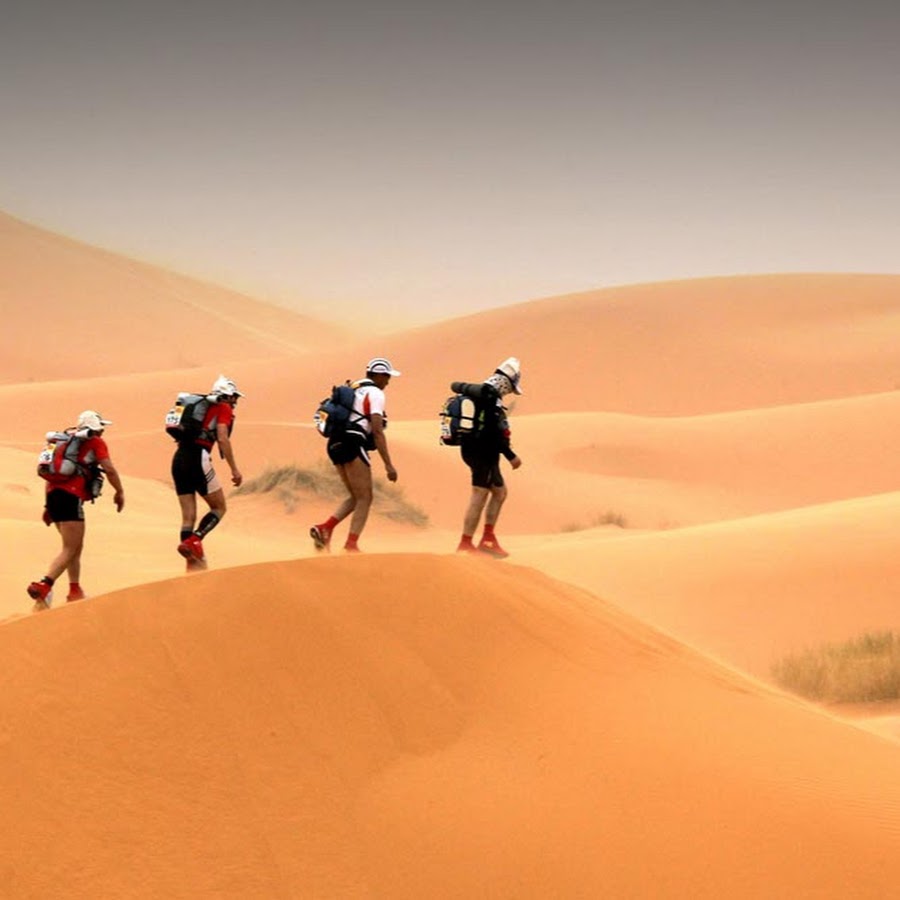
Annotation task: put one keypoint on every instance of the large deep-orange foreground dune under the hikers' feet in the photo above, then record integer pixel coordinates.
(457, 729)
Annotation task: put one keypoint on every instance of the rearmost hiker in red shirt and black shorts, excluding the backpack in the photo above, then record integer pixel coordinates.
(64, 507)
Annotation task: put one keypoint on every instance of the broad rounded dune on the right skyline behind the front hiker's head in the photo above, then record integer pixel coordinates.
(673, 348)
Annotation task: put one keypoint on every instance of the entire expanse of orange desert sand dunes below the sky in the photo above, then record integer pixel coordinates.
(708, 484)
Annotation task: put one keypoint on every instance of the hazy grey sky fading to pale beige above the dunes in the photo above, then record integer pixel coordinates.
(424, 159)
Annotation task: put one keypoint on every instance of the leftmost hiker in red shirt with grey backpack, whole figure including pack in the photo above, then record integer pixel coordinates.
(73, 464)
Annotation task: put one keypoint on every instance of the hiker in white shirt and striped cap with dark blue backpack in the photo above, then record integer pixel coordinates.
(354, 427)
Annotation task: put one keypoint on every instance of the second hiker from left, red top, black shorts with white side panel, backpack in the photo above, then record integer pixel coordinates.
(198, 422)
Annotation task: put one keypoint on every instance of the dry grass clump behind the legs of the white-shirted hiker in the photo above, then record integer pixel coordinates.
(289, 483)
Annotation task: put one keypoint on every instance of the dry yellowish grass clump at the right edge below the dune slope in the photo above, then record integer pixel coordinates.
(861, 670)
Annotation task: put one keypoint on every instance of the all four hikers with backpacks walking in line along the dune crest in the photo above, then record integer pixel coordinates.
(76, 462)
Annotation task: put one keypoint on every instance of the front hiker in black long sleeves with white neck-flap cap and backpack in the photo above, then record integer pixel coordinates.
(478, 424)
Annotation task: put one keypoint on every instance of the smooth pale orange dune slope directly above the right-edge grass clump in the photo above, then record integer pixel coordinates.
(751, 590)
